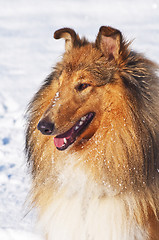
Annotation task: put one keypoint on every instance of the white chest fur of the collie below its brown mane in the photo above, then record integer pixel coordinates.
(78, 212)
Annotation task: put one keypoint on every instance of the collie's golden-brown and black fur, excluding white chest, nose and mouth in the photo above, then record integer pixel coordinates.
(120, 148)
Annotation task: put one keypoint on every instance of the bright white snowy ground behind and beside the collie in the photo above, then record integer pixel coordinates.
(27, 53)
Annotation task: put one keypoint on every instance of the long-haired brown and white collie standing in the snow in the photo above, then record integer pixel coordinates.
(92, 142)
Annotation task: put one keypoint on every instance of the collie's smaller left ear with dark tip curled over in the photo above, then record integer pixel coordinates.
(69, 35)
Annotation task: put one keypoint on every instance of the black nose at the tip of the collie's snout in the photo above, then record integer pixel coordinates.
(46, 127)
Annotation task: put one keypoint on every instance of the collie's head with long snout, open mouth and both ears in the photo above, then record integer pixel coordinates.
(82, 89)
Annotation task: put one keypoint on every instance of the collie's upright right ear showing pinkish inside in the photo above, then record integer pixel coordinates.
(109, 41)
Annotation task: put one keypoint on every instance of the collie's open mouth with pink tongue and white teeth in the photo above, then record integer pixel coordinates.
(64, 140)
